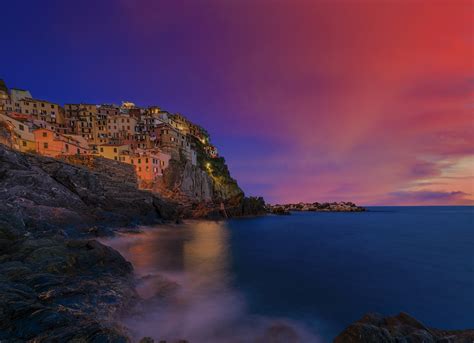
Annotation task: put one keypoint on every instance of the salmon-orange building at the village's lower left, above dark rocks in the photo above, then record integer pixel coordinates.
(52, 144)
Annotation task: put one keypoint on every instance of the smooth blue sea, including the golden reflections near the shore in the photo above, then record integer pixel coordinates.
(316, 271)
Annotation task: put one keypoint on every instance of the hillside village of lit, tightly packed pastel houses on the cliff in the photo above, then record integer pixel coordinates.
(146, 138)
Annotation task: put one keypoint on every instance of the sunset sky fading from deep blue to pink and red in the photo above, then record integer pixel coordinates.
(365, 101)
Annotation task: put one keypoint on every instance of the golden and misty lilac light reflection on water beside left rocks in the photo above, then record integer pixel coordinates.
(184, 273)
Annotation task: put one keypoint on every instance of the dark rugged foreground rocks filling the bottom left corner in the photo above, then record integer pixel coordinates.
(60, 290)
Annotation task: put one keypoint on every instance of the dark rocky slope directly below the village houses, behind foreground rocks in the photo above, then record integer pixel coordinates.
(46, 194)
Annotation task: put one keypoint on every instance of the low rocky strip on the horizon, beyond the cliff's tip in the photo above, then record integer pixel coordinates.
(315, 207)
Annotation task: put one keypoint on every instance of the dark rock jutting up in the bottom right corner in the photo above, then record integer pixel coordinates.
(374, 328)
